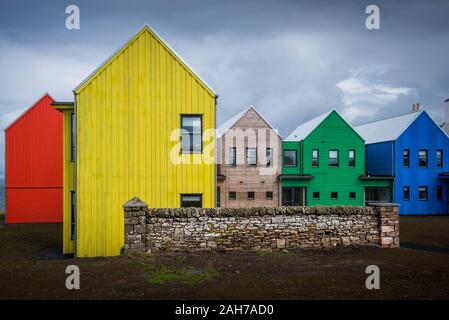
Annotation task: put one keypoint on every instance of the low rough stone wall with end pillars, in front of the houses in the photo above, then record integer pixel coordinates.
(229, 229)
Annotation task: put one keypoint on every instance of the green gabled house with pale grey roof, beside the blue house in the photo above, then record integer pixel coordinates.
(323, 163)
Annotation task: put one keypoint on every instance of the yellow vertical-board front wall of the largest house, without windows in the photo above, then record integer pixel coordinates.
(125, 117)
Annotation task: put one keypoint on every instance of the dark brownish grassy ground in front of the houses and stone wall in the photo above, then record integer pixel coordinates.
(31, 267)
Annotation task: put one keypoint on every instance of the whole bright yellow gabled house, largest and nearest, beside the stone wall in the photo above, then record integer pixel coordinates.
(141, 125)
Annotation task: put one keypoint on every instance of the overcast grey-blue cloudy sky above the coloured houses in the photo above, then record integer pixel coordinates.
(293, 60)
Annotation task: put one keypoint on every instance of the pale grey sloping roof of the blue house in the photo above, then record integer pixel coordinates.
(388, 129)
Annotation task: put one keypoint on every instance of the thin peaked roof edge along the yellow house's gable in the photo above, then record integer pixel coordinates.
(116, 53)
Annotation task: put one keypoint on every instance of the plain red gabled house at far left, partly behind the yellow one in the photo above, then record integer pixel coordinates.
(33, 165)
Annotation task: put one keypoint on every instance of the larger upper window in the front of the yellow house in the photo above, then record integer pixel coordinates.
(191, 134)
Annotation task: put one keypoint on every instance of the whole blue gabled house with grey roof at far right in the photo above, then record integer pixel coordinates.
(415, 151)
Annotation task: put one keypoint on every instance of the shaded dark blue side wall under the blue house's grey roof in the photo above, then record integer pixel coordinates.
(379, 159)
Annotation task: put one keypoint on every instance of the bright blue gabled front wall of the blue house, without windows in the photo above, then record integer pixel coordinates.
(422, 134)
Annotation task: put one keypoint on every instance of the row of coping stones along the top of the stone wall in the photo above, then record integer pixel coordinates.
(260, 211)
